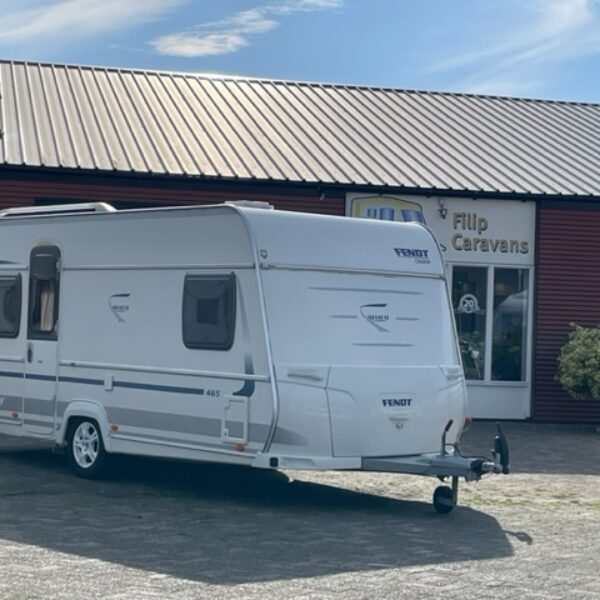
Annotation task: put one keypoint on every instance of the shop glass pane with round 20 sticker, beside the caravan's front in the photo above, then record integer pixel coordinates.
(469, 299)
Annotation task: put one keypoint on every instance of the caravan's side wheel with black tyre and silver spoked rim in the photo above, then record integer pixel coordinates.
(85, 449)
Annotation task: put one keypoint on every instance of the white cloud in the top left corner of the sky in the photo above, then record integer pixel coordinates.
(76, 17)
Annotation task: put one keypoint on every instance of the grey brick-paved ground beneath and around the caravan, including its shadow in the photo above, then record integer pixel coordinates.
(162, 530)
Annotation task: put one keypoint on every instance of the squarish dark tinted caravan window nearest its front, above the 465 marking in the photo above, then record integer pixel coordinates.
(209, 311)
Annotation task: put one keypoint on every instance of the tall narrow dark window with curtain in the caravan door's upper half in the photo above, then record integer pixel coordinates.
(43, 293)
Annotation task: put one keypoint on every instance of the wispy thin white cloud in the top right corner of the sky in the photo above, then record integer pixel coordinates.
(545, 36)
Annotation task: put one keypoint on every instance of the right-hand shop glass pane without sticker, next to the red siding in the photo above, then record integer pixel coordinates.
(509, 339)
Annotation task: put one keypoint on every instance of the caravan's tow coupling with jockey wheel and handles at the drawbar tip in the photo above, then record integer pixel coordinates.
(445, 498)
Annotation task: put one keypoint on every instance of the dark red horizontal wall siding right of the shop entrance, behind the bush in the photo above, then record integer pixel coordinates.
(568, 290)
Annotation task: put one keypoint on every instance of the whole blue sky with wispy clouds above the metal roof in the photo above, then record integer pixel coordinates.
(534, 48)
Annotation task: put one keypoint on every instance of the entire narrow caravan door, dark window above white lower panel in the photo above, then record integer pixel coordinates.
(42, 335)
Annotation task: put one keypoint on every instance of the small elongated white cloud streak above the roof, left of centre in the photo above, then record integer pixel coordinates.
(233, 33)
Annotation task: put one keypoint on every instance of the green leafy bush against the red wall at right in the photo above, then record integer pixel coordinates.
(579, 362)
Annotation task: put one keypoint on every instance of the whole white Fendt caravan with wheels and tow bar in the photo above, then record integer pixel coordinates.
(232, 334)
